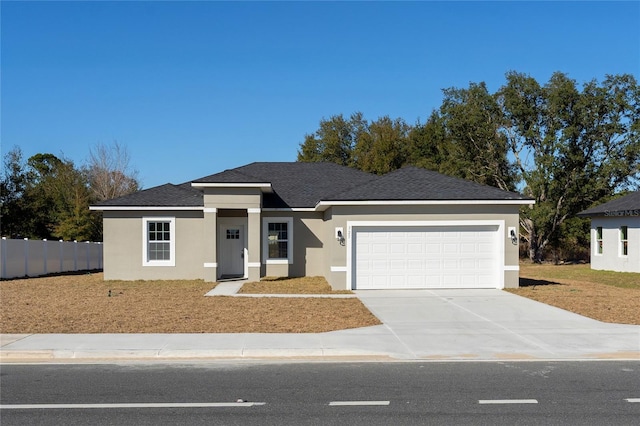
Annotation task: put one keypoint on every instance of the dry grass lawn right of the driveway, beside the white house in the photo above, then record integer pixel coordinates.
(603, 295)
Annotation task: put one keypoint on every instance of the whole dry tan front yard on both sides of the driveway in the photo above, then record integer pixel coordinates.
(87, 304)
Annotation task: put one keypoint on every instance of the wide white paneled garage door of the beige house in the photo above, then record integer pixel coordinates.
(425, 257)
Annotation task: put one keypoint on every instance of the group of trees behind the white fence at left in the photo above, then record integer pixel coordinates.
(48, 197)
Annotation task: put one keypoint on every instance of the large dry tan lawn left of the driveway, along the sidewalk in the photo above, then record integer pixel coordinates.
(81, 304)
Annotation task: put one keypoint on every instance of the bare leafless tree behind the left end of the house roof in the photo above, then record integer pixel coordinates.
(109, 172)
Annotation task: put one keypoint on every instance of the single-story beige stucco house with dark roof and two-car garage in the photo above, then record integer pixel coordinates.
(411, 228)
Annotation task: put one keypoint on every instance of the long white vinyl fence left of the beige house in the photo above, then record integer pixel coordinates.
(32, 258)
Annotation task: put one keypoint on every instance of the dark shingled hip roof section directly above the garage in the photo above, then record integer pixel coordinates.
(413, 183)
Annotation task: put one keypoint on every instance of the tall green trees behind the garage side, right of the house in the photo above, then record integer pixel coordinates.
(567, 146)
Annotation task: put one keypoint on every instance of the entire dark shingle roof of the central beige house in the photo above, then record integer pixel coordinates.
(303, 185)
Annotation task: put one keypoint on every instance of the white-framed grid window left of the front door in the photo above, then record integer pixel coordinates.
(158, 241)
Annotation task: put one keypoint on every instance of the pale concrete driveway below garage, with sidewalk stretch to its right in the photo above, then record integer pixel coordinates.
(494, 324)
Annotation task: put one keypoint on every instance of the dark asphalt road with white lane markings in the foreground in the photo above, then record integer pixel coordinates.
(493, 393)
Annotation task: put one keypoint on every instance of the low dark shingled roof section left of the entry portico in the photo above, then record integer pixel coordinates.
(167, 195)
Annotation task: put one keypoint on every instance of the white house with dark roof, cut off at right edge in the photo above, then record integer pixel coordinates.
(615, 234)
